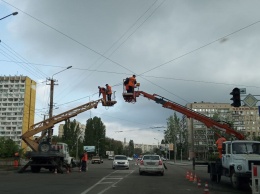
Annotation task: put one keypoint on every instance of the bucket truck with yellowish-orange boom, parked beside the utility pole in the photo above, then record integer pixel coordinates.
(46, 155)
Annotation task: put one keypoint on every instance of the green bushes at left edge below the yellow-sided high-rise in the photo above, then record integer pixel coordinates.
(8, 148)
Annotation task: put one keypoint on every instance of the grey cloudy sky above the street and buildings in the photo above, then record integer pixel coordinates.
(184, 50)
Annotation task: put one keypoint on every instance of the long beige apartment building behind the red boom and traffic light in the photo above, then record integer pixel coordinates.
(245, 119)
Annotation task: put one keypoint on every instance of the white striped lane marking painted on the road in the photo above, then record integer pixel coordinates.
(110, 176)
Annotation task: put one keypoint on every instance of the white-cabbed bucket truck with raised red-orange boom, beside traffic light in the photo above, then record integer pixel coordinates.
(237, 155)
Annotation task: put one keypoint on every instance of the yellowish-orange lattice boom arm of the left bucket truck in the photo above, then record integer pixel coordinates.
(49, 123)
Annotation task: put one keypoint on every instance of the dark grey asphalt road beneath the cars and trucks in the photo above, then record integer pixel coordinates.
(102, 179)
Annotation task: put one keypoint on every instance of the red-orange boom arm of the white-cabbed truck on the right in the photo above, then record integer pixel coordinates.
(189, 113)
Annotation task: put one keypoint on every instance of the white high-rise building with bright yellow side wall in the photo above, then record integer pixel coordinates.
(17, 107)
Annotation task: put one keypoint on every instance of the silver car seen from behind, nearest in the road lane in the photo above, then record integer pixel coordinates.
(151, 164)
